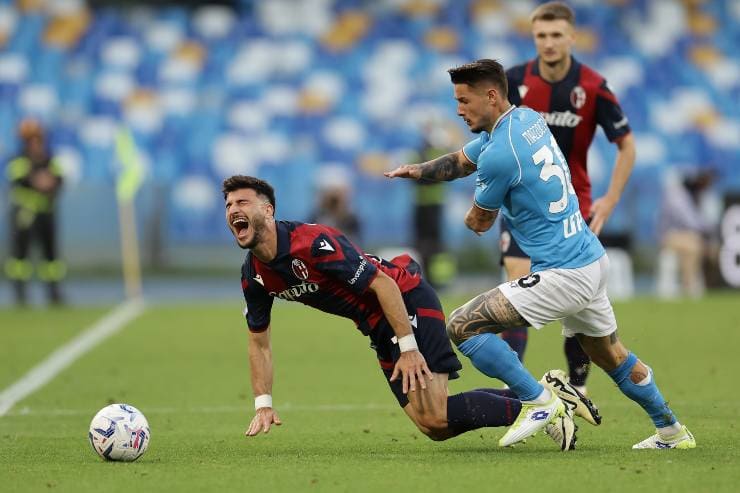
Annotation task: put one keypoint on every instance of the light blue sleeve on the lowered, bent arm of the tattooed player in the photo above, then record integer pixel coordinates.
(496, 175)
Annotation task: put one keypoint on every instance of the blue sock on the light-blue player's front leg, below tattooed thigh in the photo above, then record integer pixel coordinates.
(493, 357)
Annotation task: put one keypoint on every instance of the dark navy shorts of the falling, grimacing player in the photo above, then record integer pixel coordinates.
(428, 321)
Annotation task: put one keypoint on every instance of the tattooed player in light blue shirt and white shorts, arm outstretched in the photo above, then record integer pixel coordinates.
(522, 174)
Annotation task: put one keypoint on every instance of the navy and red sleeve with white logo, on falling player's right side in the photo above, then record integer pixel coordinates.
(335, 256)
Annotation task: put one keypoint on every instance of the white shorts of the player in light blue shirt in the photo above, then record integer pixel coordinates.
(577, 297)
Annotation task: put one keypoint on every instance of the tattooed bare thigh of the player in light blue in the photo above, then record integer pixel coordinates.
(488, 312)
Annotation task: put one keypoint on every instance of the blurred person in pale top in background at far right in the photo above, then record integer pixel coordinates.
(685, 230)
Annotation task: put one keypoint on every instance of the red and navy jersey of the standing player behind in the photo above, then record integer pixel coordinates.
(572, 107)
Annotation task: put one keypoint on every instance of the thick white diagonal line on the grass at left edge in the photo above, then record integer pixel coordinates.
(60, 359)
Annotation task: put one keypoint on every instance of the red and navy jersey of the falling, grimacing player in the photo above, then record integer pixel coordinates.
(318, 266)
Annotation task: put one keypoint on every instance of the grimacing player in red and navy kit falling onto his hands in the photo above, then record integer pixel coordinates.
(388, 301)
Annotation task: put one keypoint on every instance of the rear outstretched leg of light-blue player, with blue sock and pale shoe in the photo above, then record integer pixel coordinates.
(636, 381)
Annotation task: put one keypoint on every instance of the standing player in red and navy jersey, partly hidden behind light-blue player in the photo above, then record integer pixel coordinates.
(573, 99)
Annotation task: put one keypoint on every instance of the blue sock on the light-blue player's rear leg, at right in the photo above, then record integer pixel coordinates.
(646, 393)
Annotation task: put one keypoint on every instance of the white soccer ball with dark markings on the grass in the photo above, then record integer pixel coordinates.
(119, 432)
